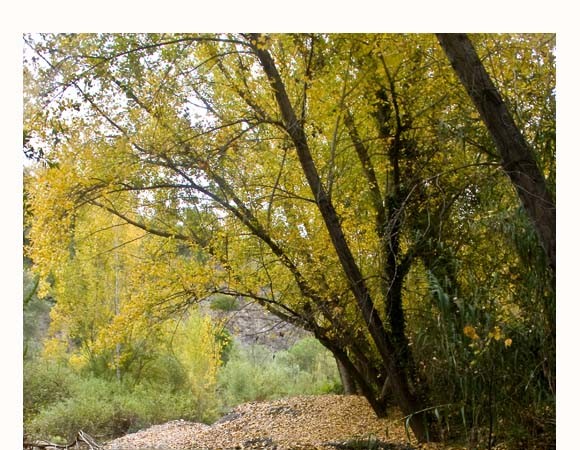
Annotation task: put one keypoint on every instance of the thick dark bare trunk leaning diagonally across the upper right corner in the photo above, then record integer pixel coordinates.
(517, 158)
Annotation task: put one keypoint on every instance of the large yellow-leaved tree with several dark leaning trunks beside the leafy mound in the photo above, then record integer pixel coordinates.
(318, 175)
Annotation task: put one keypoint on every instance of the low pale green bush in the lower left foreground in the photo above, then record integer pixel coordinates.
(103, 408)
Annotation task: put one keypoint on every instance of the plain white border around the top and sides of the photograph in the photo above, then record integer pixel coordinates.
(268, 16)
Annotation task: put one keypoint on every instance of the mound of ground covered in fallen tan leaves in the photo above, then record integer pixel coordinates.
(305, 422)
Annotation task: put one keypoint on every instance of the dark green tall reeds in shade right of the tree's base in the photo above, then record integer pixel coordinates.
(486, 366)
